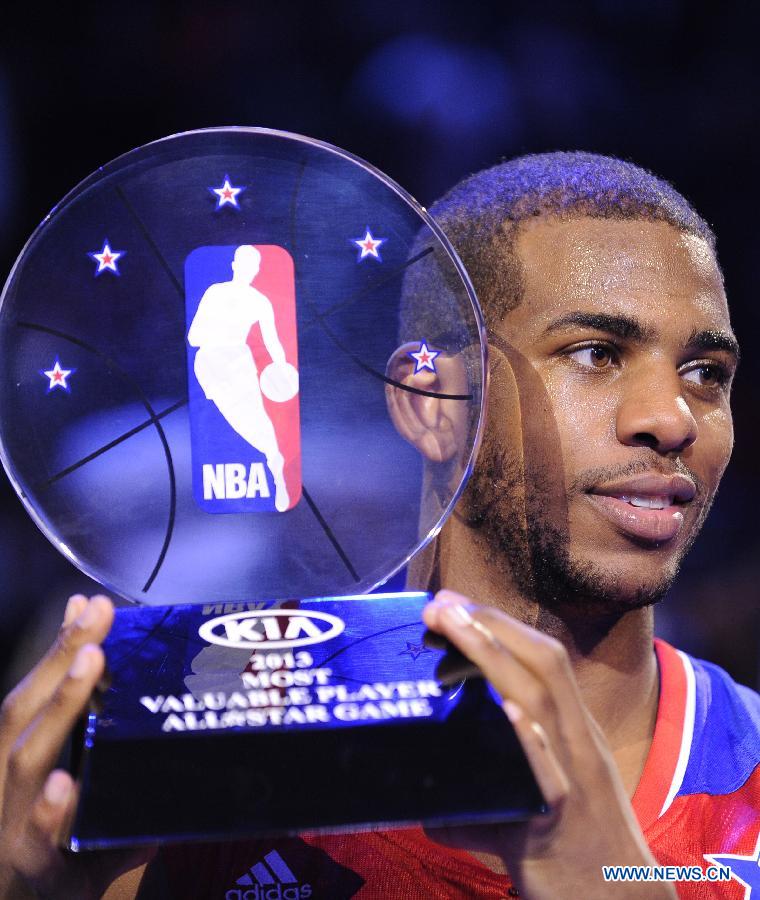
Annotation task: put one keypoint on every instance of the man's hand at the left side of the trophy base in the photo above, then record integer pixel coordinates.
(36, 803)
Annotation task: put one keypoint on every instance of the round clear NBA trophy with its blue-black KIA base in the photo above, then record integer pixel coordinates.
(243, 385)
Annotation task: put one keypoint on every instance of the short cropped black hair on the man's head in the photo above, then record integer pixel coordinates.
(482, 214)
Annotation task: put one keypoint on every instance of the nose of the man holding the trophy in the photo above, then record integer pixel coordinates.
(653, 413)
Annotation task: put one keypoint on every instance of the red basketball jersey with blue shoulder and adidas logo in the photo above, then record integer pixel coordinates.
(698, 803)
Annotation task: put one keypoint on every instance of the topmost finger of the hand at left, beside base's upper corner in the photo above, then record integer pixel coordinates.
(88, 622)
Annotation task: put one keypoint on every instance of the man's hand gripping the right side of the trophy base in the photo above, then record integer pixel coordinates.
(591, 822)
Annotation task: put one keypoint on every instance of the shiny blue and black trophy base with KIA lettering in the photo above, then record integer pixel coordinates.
(233, 720)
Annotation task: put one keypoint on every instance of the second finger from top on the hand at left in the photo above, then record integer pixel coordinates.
(38, 747)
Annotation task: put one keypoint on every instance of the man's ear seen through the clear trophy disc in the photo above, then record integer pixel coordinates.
(435, 425)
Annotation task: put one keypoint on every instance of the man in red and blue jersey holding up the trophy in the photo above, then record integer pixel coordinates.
(608, 430)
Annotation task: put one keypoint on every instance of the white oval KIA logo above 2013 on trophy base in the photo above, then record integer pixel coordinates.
(271, 628)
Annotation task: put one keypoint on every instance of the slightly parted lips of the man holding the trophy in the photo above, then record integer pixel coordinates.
(648, 507)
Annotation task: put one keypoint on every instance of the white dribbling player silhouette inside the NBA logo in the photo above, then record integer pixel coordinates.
(224, 364)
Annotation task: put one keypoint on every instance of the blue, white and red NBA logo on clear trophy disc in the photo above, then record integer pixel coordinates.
(242, 359)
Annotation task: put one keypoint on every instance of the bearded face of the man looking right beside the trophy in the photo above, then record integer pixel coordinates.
(622, 362)
